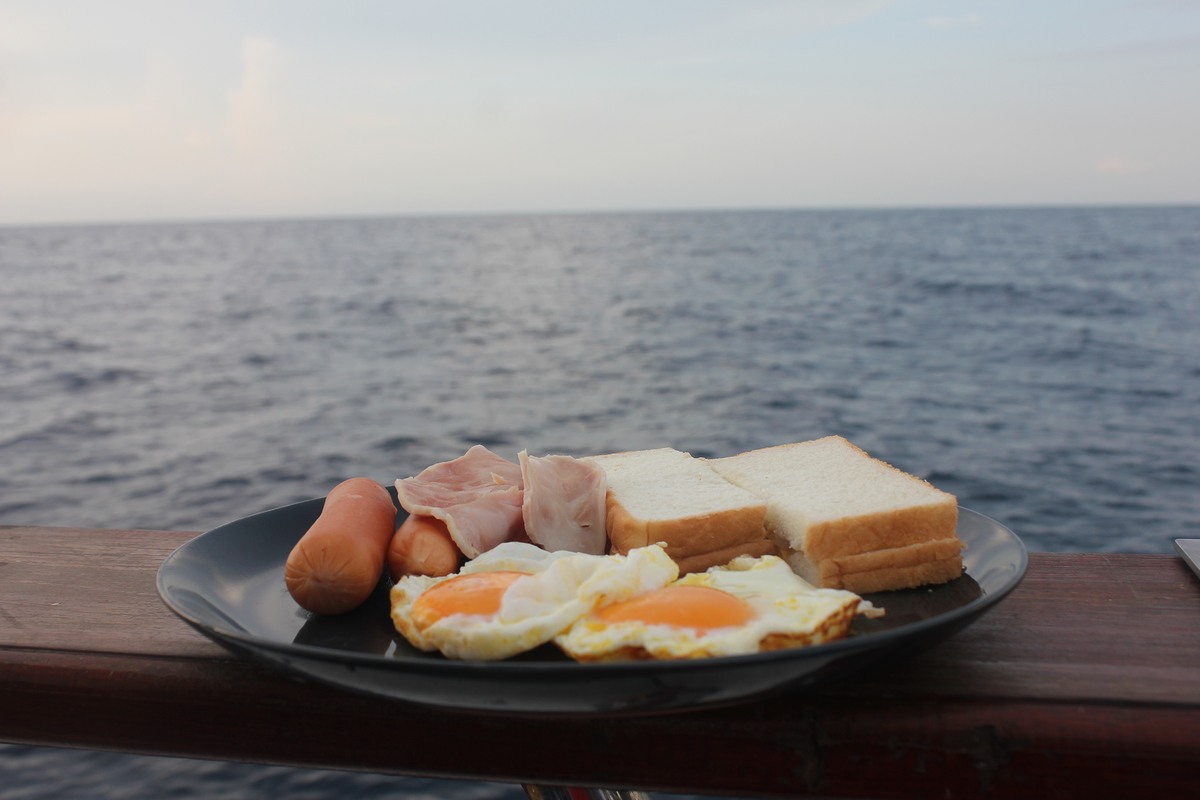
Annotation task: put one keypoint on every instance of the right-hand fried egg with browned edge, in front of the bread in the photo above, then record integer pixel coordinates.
(747, 606)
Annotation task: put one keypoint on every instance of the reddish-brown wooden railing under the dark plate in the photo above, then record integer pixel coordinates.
(1085, 683)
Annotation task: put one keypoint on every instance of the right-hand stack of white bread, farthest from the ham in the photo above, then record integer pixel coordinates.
(845, 520)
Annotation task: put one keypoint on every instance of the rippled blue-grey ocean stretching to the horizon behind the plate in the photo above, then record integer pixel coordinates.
(1043, 364)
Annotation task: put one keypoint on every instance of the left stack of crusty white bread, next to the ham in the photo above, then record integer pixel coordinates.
(669, 497)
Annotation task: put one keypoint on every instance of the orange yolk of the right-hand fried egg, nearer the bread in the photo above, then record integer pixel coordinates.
(697, 607)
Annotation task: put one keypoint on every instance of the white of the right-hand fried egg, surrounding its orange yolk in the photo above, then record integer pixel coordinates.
(788, 612)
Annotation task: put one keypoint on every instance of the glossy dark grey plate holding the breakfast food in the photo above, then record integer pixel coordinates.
(229, 584)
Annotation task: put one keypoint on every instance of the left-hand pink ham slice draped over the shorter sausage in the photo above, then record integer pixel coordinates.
(478, 496)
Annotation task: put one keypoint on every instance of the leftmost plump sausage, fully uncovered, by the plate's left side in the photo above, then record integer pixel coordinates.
(339, 562)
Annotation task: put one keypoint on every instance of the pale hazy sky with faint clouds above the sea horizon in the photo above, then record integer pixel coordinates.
(171, 110)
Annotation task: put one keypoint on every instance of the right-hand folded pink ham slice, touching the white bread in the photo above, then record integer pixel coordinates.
(565, 503)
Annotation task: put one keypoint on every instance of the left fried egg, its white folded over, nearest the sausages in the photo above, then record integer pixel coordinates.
(518, 597)
